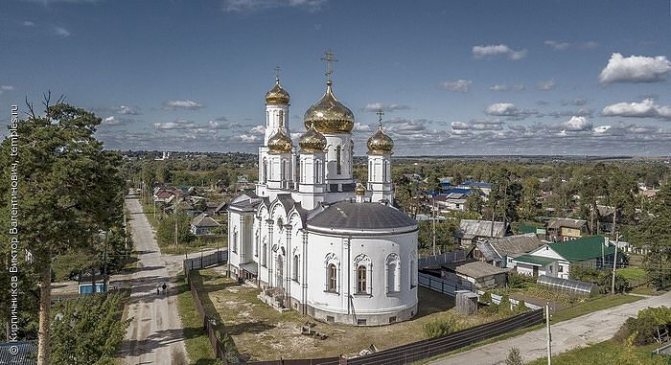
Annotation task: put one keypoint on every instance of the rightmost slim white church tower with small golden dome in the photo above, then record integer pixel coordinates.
(380, 148)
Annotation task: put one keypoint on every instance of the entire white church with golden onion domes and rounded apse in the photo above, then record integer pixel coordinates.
(310, 235)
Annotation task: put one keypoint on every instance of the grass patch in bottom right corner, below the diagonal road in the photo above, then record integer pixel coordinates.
(606, 353)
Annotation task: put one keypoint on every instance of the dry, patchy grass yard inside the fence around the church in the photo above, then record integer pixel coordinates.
(263, 333)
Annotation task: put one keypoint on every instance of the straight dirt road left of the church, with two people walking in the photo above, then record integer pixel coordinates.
(155, 333)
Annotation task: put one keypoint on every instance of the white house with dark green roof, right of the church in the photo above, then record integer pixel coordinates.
(557, 258)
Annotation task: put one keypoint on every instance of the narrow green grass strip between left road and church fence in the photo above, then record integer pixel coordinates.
(197, 344)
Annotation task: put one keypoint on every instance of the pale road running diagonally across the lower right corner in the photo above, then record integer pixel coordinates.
(567, 335)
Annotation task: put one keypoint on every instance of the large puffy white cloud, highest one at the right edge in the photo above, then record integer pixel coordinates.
(635, 69)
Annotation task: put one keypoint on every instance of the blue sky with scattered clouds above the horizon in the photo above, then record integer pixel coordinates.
(454, 77)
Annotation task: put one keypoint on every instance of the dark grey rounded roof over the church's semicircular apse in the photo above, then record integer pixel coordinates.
(361, 216)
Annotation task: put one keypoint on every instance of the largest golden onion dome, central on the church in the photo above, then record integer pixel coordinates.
(329, 116)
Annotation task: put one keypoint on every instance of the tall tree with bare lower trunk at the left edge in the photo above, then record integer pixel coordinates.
(68, 191)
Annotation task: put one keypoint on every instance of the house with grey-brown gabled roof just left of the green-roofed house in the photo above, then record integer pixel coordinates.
(501, 251)
